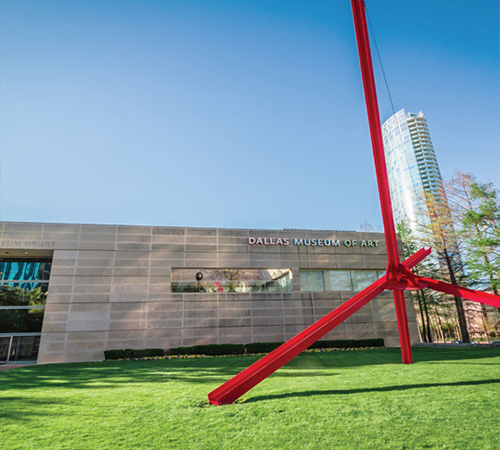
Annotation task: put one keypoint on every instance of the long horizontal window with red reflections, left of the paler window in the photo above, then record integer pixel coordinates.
(231, 280)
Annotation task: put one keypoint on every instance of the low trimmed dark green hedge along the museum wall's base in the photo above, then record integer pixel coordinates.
(235, 349)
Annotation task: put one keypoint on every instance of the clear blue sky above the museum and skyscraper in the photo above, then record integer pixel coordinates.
(230, 113)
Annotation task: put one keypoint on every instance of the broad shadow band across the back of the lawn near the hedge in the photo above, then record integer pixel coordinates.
(111, 374)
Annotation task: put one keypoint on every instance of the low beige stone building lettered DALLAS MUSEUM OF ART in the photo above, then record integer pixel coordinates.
(69, 291)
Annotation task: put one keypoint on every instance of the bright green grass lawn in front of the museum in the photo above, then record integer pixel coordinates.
(365, 399)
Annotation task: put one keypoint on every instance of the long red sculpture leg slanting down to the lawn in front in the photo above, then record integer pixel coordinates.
(248, 378)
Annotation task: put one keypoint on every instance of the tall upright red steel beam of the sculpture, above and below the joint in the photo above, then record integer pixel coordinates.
(365, 59)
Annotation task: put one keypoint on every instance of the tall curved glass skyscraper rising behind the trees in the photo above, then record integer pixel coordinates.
(411, 166)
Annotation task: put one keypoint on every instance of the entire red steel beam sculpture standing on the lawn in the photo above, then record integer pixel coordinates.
(398, 276)
